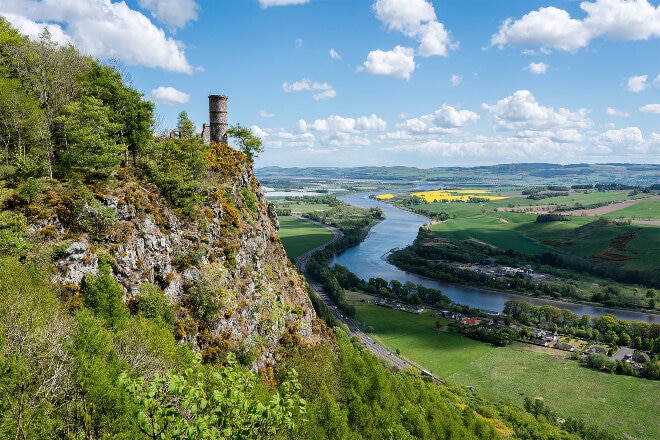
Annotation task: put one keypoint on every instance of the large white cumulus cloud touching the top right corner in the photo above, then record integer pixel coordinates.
(554, 27)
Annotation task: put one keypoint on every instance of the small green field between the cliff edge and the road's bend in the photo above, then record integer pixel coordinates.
(299, 236)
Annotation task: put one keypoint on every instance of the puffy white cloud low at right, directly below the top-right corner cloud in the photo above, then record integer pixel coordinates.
(521, 111)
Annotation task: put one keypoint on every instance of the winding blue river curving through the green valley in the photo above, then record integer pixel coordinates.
(399, 229)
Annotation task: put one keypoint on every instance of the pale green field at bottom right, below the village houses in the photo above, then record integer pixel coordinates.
(624, 404)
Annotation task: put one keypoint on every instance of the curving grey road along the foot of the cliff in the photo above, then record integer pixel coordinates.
(369, 343)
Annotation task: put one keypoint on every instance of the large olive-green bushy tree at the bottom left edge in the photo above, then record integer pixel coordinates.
(34, 364)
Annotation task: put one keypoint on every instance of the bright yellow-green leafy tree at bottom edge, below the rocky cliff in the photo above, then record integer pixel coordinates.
(181, 406)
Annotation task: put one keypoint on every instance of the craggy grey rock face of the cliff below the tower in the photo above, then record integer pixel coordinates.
(227, 254)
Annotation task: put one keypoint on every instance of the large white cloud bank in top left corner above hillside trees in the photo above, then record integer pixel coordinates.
(100, 28)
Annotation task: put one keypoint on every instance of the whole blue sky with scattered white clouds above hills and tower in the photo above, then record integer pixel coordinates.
(423, 83)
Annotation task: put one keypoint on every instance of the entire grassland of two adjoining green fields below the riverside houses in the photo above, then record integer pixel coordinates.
(623, 404)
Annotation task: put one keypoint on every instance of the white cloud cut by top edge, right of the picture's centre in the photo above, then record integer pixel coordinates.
(416, 19)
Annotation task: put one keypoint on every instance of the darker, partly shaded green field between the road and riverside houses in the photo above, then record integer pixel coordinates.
(419, 341)
